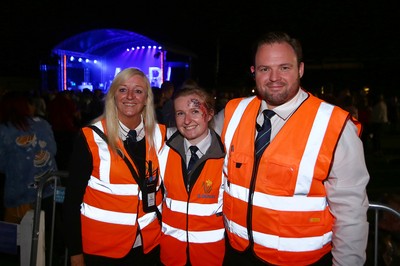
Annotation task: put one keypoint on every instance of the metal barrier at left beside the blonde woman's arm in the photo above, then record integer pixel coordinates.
(49, 177)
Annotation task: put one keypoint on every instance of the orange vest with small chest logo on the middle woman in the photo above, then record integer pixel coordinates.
(192, 221)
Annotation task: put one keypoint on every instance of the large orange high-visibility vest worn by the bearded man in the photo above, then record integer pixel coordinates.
(289, 216)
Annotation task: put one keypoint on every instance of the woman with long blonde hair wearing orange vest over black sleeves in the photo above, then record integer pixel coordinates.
(113, 198)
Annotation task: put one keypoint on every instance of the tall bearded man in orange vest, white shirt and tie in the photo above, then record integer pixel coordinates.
(301, 201)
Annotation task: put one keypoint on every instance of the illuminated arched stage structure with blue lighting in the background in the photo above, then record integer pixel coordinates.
(90, 60)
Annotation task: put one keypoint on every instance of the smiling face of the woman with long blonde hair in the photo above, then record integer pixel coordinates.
(130, 99)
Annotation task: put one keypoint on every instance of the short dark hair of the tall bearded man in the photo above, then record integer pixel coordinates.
(279, 37)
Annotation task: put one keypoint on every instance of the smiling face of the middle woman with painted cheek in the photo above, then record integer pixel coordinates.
(192, 117)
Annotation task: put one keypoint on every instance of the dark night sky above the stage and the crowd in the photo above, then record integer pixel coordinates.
(351, 31)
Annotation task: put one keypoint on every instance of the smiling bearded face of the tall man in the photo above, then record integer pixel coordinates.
(277, 73)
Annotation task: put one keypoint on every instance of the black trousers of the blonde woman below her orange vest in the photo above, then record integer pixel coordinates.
(134, 257)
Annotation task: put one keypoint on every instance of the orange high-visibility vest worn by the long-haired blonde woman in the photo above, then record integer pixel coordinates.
(112, 211)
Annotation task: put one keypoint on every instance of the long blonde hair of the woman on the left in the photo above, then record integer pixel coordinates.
(111, 112)
